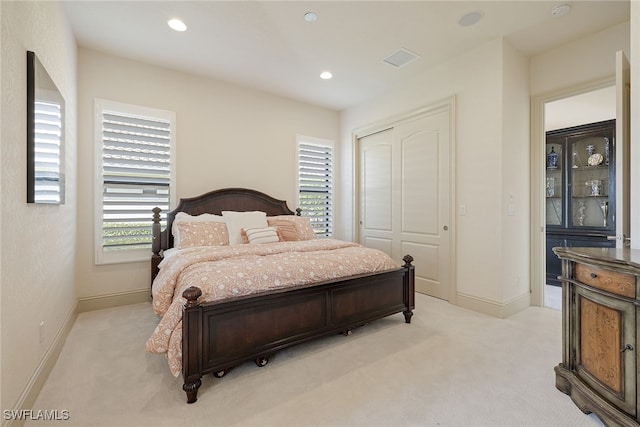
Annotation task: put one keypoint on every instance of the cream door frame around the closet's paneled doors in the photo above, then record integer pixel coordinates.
(447, 104)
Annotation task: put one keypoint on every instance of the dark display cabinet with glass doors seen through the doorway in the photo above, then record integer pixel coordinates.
(580, 190)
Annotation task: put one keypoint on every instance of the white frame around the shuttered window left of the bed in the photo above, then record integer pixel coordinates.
(100, 107)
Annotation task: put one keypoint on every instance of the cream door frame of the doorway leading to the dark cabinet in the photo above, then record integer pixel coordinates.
(538, 156)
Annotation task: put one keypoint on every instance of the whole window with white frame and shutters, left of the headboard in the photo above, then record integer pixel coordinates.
(134, 168)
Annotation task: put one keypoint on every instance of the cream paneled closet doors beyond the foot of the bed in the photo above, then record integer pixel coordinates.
(404, 197)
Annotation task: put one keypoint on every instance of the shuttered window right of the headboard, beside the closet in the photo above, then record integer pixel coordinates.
(315, 183)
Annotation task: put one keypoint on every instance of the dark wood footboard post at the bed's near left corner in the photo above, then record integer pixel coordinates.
(191, 343)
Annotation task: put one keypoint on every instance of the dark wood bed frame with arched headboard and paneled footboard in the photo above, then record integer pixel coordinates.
(219, 335)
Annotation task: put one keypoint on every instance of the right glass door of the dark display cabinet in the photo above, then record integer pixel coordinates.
(591, 183)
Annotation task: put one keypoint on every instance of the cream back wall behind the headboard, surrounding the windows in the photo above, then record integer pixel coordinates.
(227, 136)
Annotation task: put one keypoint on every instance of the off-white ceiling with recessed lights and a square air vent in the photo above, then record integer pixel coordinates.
(268, 45)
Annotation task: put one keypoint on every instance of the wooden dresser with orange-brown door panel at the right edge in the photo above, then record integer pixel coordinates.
(600, 337)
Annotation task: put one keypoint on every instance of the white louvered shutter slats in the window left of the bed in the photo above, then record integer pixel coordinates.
(136, 171)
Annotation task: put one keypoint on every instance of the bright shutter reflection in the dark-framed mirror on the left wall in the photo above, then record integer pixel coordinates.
(48, 152)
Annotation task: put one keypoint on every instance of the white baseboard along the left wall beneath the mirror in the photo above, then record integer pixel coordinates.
(27, 398)
